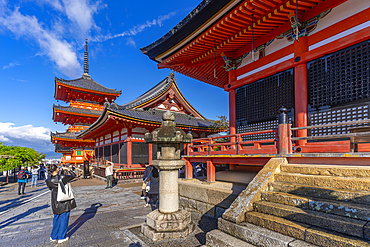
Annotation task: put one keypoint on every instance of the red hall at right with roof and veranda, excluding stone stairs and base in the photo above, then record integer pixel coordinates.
(310, 57)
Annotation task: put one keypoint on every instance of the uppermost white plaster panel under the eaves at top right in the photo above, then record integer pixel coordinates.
(341, 12)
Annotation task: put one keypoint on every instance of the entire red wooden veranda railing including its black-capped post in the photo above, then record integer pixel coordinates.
(283, 143)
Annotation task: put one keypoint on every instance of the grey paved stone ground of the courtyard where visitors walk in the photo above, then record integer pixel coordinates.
(104, 217)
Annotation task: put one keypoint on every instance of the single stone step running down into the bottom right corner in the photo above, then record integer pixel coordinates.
(306, 234)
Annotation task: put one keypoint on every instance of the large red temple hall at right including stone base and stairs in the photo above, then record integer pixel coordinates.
(298, 77)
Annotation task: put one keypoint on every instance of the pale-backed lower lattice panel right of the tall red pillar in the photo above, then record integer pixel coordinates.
(337, 115)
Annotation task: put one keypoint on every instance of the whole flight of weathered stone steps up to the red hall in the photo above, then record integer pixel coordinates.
(306, 205)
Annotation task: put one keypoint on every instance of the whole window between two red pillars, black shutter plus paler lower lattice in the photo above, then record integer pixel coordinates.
(258, 103)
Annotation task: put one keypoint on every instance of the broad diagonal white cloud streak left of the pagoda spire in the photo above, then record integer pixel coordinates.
(58, 50)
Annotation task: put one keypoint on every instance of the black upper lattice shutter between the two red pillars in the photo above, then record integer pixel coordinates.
(260, 101)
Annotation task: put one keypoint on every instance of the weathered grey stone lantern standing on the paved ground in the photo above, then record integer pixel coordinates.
(168, 221)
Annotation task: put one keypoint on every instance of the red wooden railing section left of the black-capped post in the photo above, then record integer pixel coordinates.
(234, 144)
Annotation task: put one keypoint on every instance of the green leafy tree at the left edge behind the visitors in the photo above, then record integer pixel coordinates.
(22, 156)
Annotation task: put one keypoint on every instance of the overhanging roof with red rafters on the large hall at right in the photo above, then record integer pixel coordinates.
(216, 39)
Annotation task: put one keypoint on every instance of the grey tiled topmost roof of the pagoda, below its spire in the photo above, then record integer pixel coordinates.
(85, 82)
